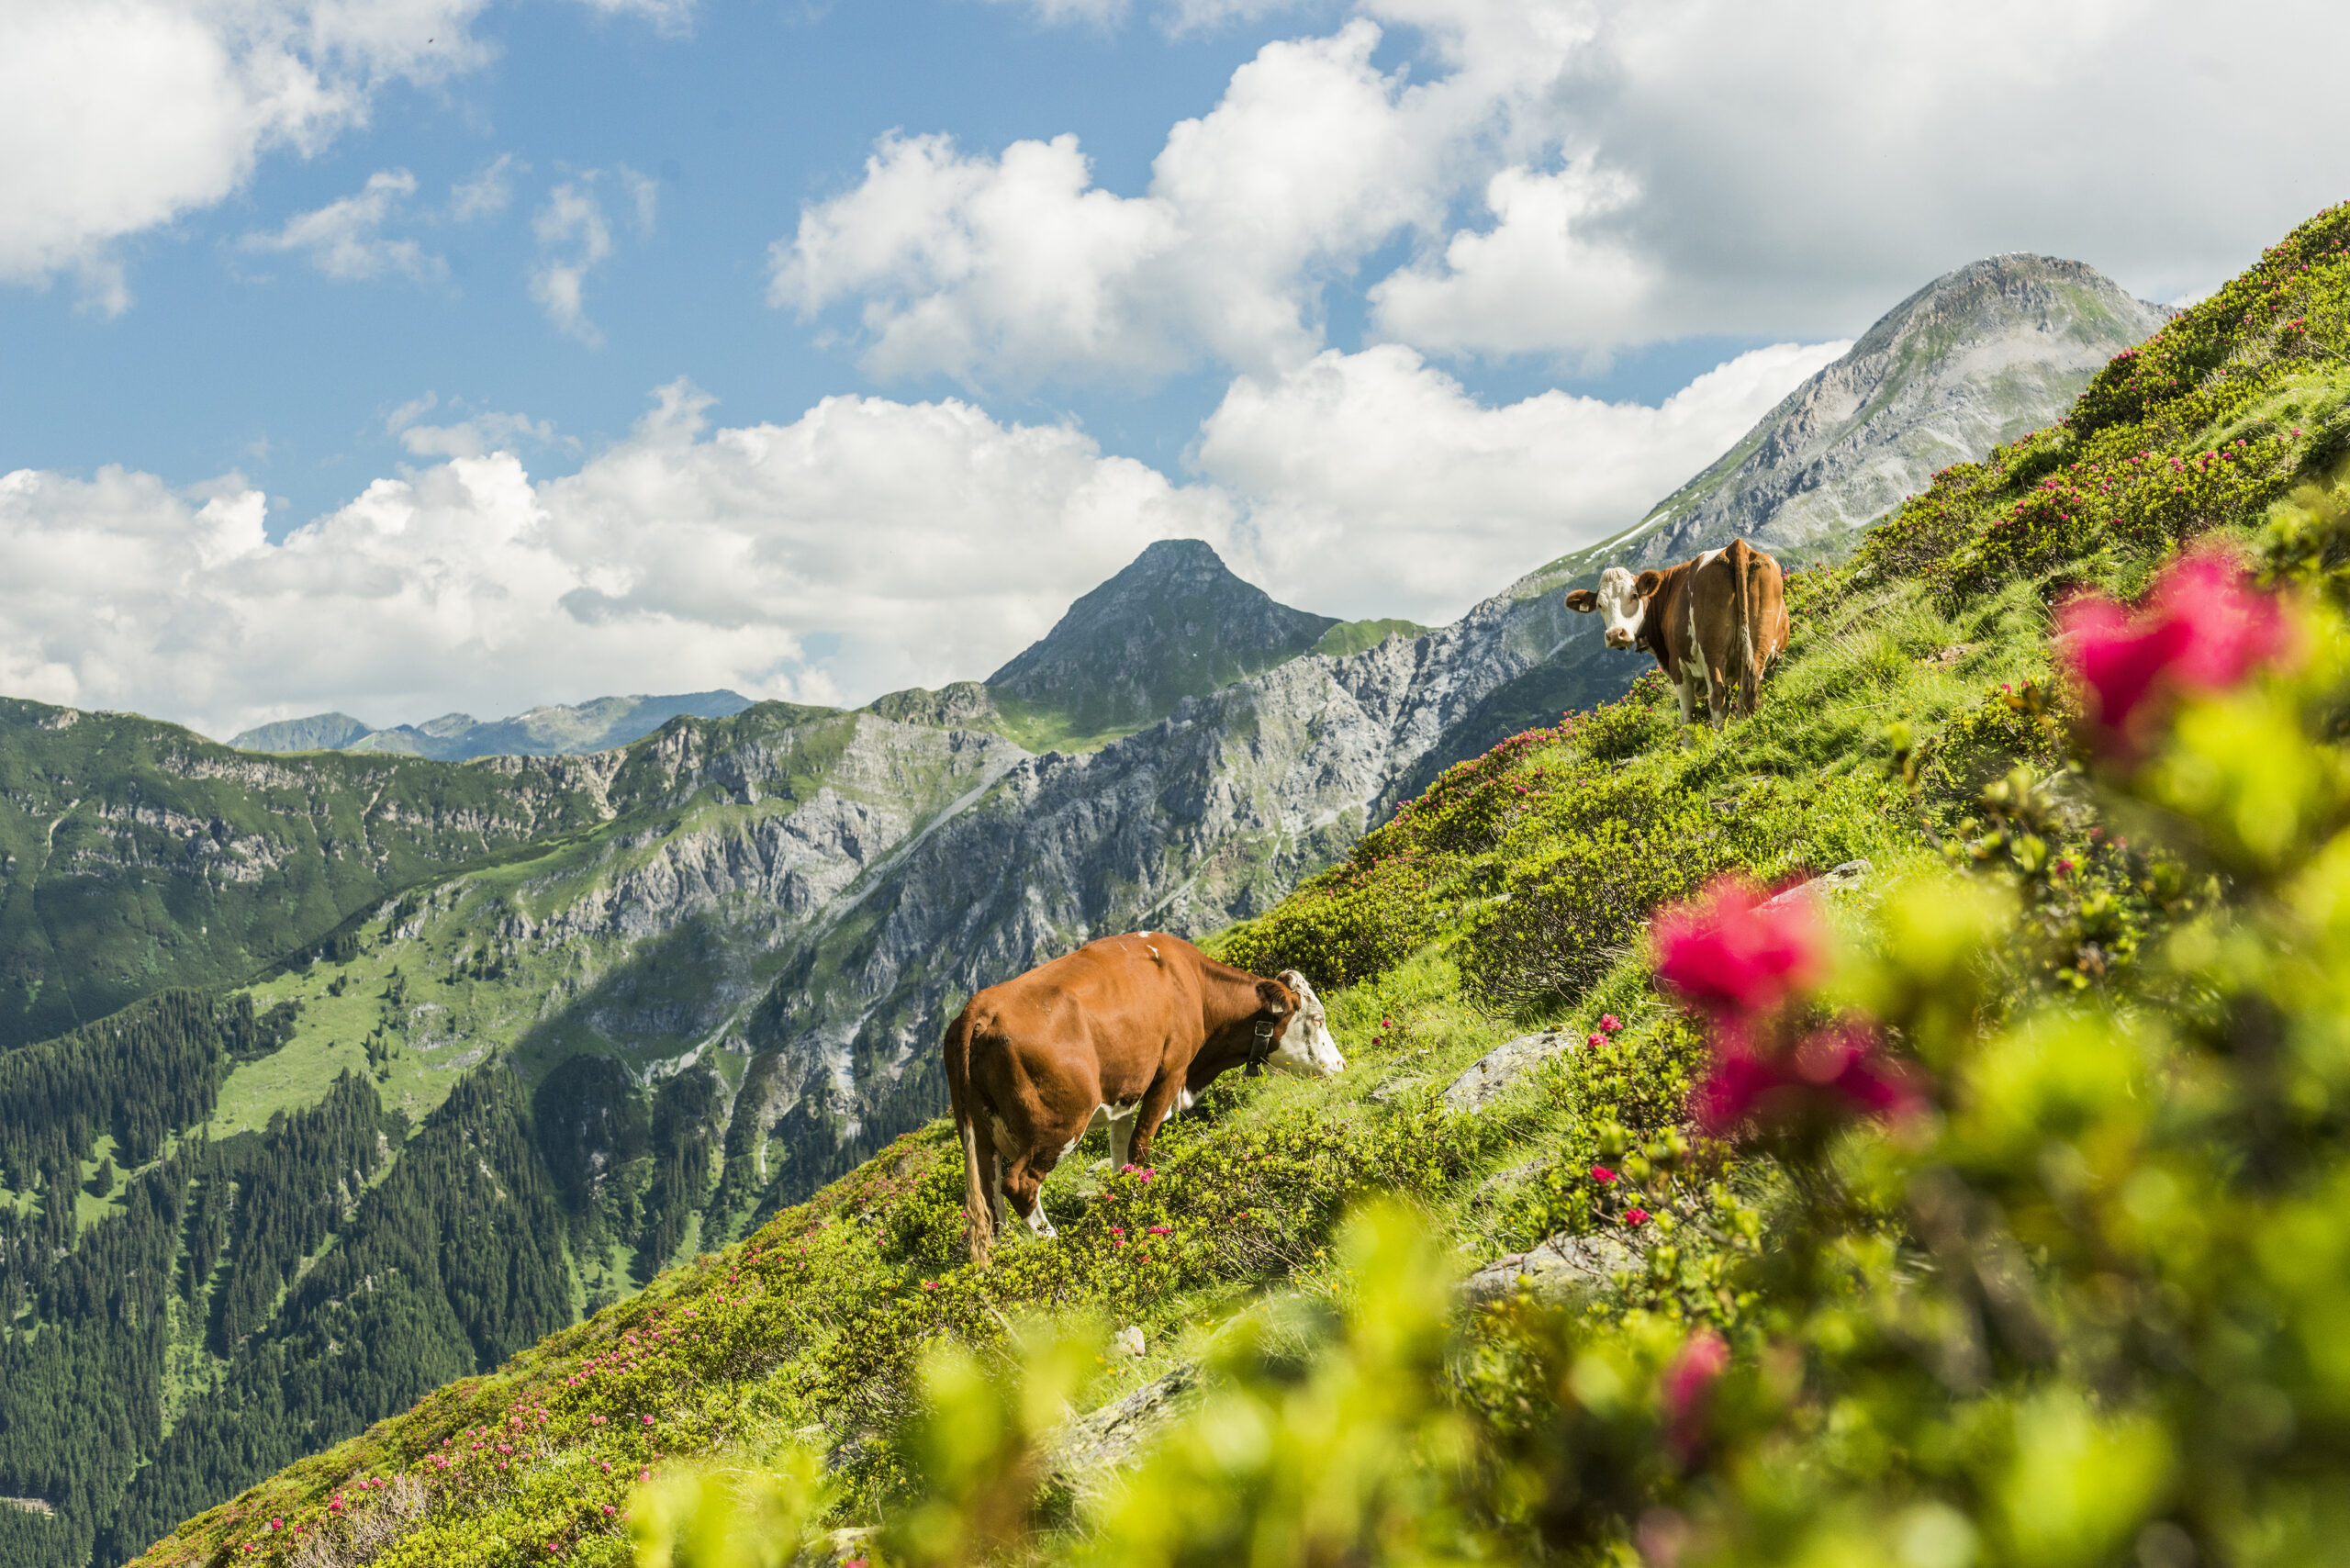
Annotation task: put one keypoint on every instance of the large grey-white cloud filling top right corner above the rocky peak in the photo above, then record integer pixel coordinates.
(1799, 166)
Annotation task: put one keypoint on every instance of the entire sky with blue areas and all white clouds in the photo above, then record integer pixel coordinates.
(443, 354)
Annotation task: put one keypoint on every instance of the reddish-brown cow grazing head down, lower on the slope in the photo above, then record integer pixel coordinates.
(1120, 1033)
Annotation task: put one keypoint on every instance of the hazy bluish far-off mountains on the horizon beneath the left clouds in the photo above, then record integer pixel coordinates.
(457, 737)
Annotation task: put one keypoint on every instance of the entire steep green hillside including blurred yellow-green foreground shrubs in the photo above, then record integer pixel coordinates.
(1902, 1388)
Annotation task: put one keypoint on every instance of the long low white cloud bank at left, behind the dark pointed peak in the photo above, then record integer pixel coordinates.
(859, 549)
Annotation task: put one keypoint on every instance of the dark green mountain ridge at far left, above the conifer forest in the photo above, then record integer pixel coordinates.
(140, 857)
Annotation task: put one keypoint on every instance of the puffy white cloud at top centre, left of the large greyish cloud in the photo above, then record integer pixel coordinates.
(1019, 269)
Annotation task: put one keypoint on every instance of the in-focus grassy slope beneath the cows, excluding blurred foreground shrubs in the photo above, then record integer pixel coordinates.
(1503, 899)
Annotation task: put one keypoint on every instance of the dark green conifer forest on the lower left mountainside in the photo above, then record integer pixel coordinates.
(194, 1336)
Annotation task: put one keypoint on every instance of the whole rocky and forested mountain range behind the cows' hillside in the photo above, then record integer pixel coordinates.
(645, 970)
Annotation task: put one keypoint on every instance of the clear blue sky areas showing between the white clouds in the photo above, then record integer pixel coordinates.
(246, 361)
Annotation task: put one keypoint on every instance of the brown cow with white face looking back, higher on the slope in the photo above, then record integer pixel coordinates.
(1714, 624)
